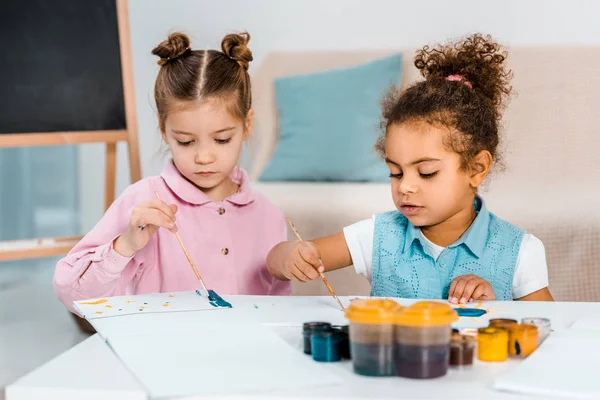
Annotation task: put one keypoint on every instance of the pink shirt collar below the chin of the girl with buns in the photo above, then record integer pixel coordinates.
(191, 194)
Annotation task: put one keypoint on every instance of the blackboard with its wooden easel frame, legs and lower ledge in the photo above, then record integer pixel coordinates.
(66, 77)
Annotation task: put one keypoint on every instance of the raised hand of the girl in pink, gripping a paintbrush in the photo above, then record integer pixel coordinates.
(144, 222)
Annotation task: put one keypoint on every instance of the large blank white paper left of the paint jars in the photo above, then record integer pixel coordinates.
(218, 359)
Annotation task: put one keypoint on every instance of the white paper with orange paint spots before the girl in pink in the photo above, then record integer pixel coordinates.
(142, 304)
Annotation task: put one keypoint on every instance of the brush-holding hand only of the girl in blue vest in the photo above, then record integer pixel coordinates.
(295, 261)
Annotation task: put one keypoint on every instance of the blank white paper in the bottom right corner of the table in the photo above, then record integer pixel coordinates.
(566, 365)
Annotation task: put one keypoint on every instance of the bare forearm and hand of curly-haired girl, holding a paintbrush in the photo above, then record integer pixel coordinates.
(299, 261)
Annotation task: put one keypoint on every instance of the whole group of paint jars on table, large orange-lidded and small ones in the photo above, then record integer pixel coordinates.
(387, 339)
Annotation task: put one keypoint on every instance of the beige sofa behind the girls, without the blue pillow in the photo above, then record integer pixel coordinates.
(550, 146)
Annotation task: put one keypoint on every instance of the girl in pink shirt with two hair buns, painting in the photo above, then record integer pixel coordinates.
(203, 101)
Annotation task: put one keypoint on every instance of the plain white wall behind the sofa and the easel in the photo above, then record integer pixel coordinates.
(320, 24)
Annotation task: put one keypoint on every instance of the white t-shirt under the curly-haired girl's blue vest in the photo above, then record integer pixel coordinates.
(531, 271)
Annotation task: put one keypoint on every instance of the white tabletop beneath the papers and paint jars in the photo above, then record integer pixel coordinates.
(91, 370)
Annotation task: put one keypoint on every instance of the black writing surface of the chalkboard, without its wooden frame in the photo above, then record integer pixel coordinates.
(61, 67)
